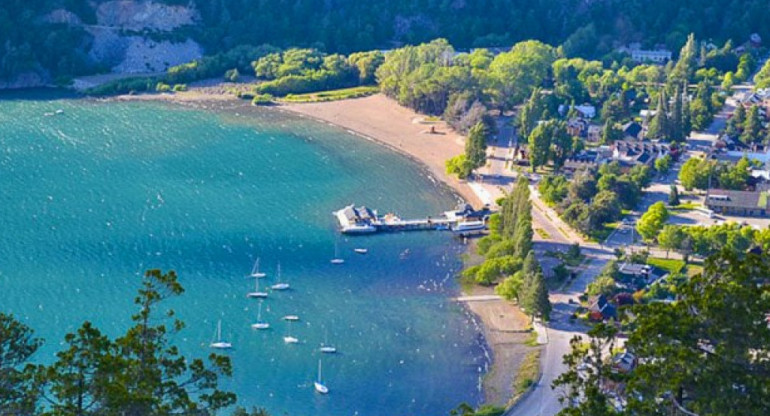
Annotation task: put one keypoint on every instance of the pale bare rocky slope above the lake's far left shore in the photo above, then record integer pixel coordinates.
(119, 36)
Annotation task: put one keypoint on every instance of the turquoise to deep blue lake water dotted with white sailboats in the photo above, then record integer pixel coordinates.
(93, 196)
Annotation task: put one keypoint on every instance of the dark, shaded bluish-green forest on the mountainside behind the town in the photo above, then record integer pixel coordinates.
(588, 29)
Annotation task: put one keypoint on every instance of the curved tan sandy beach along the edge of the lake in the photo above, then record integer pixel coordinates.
(394, 127)
